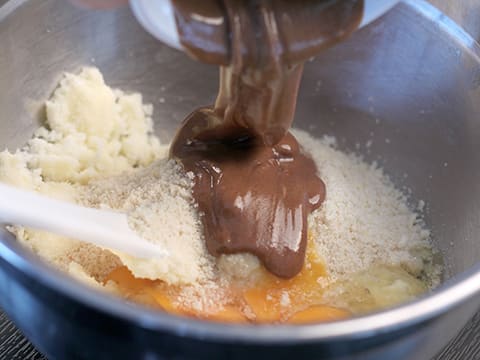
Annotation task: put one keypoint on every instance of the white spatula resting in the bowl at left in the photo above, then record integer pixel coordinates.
(107, 229)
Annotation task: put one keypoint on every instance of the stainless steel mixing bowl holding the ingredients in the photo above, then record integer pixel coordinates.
(409, 83)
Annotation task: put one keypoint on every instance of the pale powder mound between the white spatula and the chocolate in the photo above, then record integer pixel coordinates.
(161, 209)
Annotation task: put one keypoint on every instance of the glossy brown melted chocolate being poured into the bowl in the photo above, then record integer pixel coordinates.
(253, 185)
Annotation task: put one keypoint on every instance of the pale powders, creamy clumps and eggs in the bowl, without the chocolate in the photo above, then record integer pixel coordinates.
(366, 250)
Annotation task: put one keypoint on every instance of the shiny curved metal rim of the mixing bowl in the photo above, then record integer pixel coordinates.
(451, 293)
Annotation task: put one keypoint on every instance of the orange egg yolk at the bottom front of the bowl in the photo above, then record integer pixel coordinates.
(269, 300)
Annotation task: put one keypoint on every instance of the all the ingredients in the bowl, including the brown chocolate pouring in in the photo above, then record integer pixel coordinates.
(254, 234)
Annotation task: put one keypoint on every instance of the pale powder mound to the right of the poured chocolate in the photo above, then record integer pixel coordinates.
(364, 220)
